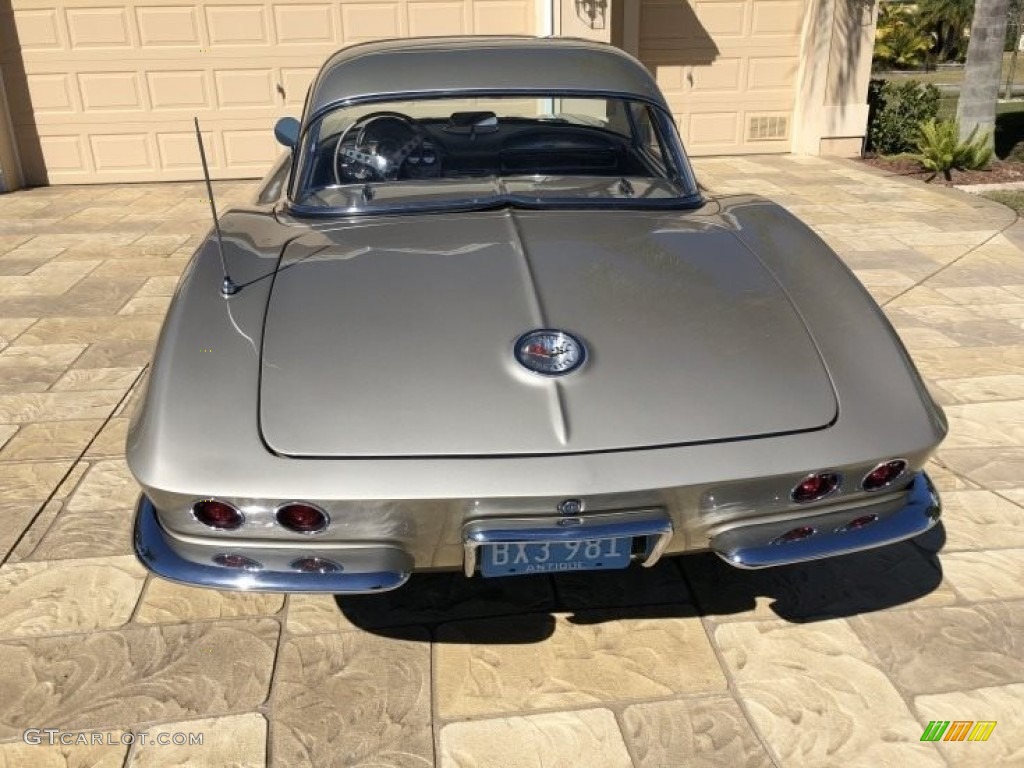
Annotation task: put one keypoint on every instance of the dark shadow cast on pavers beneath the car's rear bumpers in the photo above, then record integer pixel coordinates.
(523, 610)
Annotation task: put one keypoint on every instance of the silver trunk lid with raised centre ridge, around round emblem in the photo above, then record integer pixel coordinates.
(395, 337)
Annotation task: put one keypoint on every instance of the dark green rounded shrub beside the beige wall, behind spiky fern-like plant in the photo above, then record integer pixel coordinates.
(897, 109)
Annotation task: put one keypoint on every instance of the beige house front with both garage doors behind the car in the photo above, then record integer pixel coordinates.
(105, 91)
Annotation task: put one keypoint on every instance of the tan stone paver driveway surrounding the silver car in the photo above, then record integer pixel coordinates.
(833, 664)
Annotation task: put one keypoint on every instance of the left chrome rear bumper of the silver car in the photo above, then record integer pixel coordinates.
(155, 550)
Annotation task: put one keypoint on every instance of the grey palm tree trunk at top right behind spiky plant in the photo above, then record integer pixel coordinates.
(985, 64)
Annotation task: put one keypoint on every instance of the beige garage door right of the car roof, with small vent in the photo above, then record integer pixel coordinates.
(729, 69)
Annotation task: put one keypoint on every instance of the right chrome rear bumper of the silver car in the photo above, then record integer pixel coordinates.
(761, 546)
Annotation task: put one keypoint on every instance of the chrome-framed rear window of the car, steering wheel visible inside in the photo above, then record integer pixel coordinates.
(532, 151)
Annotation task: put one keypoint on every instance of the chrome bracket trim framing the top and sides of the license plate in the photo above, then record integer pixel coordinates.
(533, 530)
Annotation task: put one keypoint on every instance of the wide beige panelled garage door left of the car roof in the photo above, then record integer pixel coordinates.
(114, 84)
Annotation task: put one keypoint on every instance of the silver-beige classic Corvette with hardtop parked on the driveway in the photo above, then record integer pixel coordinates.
(482, 317)
